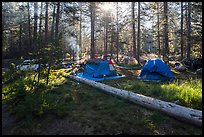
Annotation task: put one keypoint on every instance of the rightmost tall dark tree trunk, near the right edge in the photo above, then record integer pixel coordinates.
(189, 31)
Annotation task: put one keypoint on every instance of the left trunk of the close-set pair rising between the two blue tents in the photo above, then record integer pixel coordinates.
(133, 31)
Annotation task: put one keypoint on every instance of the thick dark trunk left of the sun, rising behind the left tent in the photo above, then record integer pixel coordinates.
(92, 8)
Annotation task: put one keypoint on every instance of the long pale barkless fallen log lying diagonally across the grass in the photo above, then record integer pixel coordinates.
(182, 113)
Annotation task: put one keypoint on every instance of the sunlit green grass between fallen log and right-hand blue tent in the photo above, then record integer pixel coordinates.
(188, 91)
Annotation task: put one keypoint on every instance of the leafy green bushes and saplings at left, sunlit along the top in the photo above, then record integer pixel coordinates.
(29, 100)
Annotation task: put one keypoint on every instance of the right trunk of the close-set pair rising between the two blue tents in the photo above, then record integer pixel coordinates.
(138, 35)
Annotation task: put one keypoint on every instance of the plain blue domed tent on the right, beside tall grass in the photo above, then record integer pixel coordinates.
(156, 70)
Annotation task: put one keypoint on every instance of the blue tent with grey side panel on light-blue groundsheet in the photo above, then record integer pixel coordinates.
(97, 70)
